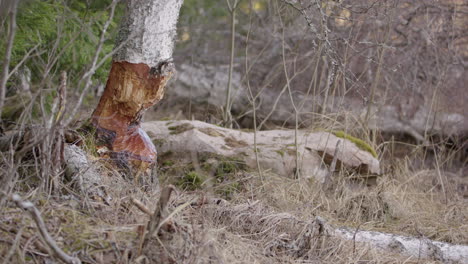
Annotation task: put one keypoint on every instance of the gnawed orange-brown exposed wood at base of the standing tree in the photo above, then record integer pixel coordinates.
(130, 90)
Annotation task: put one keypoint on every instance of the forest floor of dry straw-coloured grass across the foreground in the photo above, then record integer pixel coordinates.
(239, 216)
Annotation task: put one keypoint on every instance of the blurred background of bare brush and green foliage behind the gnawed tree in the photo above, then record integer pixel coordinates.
(399, 64)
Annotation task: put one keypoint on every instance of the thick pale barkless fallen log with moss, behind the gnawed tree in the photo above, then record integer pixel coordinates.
(276, 148)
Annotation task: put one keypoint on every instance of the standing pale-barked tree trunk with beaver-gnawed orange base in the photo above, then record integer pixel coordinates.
(140, 69)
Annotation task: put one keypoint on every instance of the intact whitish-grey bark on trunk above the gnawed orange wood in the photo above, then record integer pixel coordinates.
(147, 31)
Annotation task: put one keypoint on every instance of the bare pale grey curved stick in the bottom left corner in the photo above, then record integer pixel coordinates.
(36, 216)
